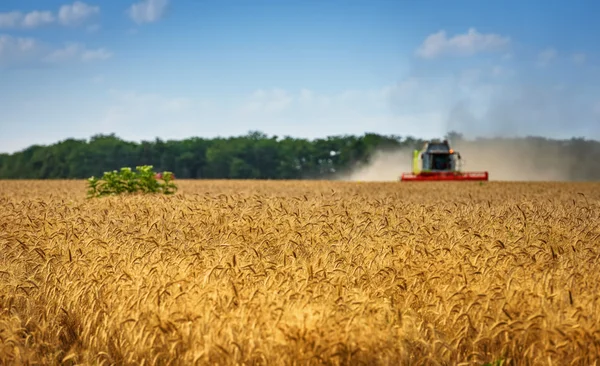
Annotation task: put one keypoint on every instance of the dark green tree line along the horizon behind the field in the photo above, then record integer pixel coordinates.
(258, 156)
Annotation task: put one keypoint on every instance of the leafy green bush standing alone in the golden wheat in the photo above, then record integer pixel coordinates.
(143, 180)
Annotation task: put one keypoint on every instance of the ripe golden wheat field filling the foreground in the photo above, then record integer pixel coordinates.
(301, 273)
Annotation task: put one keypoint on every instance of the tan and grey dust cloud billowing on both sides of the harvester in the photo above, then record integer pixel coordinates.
(523, 109)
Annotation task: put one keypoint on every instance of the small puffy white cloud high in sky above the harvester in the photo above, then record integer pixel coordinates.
(468, 44)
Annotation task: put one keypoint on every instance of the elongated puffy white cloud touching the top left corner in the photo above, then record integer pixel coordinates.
(69, 15)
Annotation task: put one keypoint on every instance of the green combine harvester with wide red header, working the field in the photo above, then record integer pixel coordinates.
(438, 162)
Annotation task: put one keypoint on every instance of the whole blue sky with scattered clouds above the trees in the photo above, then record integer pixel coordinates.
(179, 68)
